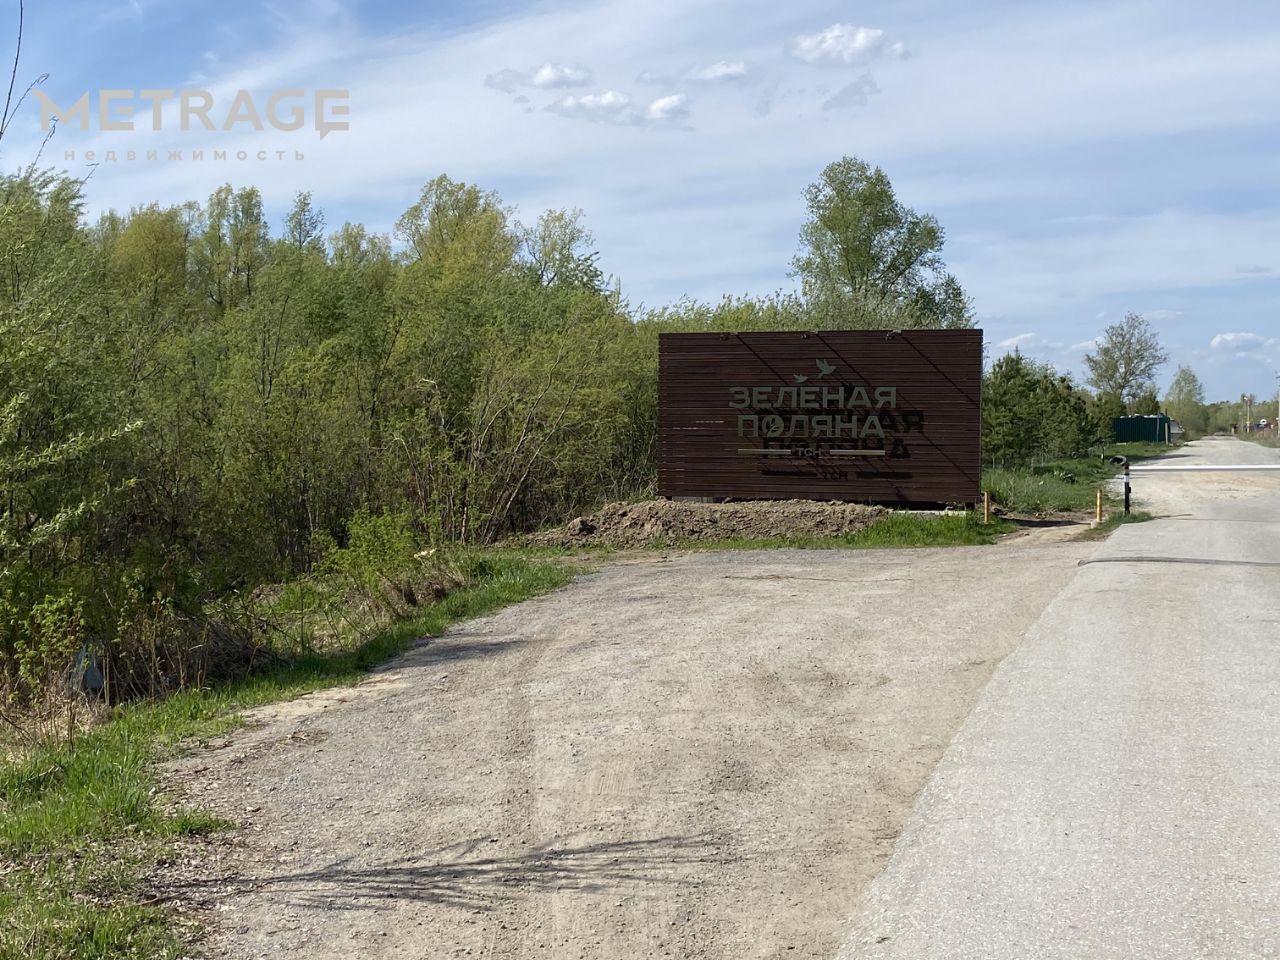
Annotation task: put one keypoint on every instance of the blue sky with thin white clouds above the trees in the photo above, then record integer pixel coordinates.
(1086, 159)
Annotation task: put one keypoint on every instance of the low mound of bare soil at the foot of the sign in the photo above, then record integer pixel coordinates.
(671, 522)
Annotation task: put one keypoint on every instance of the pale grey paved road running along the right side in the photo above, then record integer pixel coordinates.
(1117, 790)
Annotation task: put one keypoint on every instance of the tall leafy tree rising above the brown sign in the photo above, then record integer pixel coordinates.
(861, 245)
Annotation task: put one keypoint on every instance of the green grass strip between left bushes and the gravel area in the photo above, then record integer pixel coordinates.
(83, 822)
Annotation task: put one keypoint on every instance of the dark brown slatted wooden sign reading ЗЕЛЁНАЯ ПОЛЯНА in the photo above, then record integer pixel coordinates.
(858, 415)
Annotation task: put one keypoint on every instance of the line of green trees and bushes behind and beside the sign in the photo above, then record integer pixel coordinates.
(194, 404)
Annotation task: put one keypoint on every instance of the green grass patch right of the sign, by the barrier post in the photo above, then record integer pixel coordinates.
(1066, 486)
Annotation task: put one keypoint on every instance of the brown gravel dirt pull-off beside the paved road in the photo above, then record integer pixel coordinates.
(705, 756)
